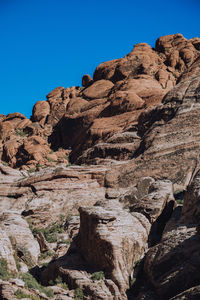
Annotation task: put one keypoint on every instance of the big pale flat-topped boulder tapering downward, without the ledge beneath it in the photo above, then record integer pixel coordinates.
(102, 229)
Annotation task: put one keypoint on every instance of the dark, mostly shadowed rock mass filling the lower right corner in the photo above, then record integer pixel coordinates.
(172, 265)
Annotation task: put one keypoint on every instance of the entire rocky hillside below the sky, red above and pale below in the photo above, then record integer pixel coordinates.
(114, 224)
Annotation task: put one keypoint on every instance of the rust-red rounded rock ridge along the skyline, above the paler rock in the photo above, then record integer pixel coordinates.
(98, 122)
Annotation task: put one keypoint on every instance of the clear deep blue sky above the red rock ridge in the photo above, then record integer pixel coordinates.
(49, 43)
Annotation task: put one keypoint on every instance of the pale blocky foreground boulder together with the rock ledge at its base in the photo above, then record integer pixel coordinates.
(119, 239)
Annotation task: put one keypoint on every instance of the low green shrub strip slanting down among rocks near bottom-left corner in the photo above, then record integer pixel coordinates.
(31, 283)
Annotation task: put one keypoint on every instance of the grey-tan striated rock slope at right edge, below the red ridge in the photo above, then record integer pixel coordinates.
(169, 139)
